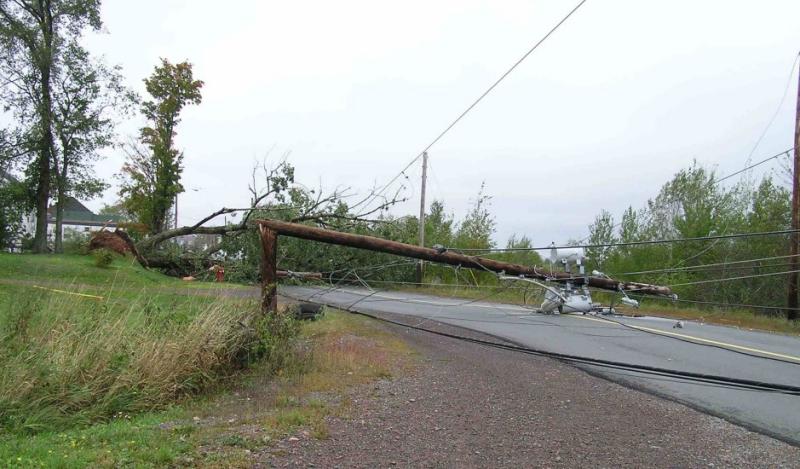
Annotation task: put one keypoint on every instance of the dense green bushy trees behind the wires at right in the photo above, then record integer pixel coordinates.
(693, 204)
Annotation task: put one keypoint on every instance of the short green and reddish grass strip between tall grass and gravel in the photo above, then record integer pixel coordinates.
(221, 429)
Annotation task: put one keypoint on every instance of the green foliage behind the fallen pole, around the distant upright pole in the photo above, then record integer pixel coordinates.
(241, 253)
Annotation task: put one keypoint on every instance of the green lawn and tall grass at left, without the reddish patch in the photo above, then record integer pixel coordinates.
(87, 353)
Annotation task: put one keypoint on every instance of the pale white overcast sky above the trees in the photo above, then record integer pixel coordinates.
(625, 94)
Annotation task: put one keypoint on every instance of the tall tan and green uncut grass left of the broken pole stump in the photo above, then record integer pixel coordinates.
(67, 360)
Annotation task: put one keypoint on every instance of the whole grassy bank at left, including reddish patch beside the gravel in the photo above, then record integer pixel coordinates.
(100, 380)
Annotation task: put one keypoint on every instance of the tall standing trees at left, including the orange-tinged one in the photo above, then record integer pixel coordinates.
(64, 106)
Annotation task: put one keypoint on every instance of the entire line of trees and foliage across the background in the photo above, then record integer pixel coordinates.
(62, 107)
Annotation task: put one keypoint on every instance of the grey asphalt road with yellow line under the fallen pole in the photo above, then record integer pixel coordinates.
(696, 347)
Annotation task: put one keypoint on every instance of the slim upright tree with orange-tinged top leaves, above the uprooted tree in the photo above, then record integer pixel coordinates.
(151, 179)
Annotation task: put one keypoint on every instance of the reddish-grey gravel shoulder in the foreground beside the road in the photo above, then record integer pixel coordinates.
(472, 406)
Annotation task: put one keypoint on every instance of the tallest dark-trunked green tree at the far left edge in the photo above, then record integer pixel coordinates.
(33, 34)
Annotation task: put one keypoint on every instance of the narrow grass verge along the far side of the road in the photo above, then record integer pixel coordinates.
(741, 318)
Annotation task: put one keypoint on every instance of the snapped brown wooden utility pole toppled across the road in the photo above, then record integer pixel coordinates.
(371, 243)
